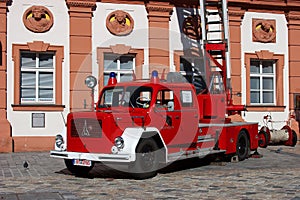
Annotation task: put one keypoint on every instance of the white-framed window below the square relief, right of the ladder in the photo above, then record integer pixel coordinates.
(262, 82)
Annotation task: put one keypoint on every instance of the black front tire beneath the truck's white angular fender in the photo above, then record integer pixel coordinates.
(147, 160)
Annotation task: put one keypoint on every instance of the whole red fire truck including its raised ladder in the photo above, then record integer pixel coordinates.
(145, 124)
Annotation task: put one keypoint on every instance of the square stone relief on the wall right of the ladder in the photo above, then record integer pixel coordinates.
(264, 30)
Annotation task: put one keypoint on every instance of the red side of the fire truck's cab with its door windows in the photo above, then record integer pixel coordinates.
(178, 110)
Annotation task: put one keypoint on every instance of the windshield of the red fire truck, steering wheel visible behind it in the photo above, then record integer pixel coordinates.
(133, 96)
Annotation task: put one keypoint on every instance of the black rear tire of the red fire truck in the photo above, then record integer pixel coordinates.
(242, 146)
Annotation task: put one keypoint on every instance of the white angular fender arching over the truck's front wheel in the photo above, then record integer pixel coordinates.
(132, 137)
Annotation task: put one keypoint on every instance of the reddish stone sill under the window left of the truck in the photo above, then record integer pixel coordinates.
(38, 107)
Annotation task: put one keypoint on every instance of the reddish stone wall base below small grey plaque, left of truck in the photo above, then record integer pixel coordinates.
(26, 143)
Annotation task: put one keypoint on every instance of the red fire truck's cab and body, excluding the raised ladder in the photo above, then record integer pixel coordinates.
(180, 122)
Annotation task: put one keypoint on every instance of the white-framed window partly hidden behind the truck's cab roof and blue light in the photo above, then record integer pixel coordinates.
(122, 65)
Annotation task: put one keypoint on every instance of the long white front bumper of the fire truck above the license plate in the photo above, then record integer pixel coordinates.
(95, 157)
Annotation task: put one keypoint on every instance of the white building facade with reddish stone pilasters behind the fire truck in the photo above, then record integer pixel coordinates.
(48, 48)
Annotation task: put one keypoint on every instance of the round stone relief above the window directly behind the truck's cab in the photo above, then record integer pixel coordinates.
(119, 23)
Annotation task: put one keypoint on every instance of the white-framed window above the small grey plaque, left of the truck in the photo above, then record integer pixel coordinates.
(37, 77)
